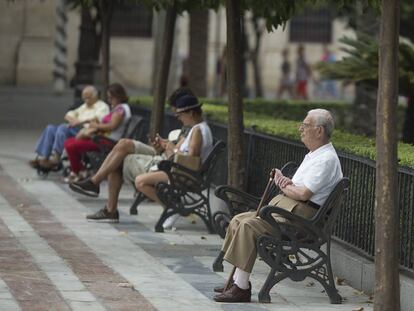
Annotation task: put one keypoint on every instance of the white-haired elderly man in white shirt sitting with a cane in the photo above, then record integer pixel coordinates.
(302, 195)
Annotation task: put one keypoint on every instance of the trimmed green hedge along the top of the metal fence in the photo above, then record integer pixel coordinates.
(275, 124)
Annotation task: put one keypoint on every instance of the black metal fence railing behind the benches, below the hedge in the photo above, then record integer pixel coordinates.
(355, 225)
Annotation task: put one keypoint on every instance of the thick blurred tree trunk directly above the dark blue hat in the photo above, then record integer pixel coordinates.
(198, 51)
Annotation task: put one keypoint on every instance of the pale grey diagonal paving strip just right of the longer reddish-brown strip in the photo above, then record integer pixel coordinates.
(130, 261)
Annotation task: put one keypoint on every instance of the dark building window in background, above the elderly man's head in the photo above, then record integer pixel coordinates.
(312, 26)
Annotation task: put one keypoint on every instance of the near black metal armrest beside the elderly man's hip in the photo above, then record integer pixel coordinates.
(305, 229)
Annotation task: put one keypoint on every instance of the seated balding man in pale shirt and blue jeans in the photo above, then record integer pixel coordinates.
(50, 144)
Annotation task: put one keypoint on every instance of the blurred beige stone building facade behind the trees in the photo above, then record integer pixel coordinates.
(28, 30)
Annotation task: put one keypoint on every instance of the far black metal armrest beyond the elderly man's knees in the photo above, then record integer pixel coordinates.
(232, 196)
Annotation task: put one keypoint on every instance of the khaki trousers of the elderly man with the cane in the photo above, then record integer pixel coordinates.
(239, 245)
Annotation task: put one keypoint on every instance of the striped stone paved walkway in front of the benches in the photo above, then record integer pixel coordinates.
(51, 258)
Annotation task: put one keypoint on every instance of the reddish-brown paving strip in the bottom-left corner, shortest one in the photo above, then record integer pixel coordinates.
(30, 286)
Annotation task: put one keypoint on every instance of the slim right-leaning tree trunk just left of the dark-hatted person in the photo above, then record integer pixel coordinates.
(157, 114)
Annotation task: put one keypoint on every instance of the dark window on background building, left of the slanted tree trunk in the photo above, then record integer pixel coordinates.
(131, 20)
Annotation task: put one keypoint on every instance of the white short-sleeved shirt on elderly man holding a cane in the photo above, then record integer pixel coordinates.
(319, 171)
